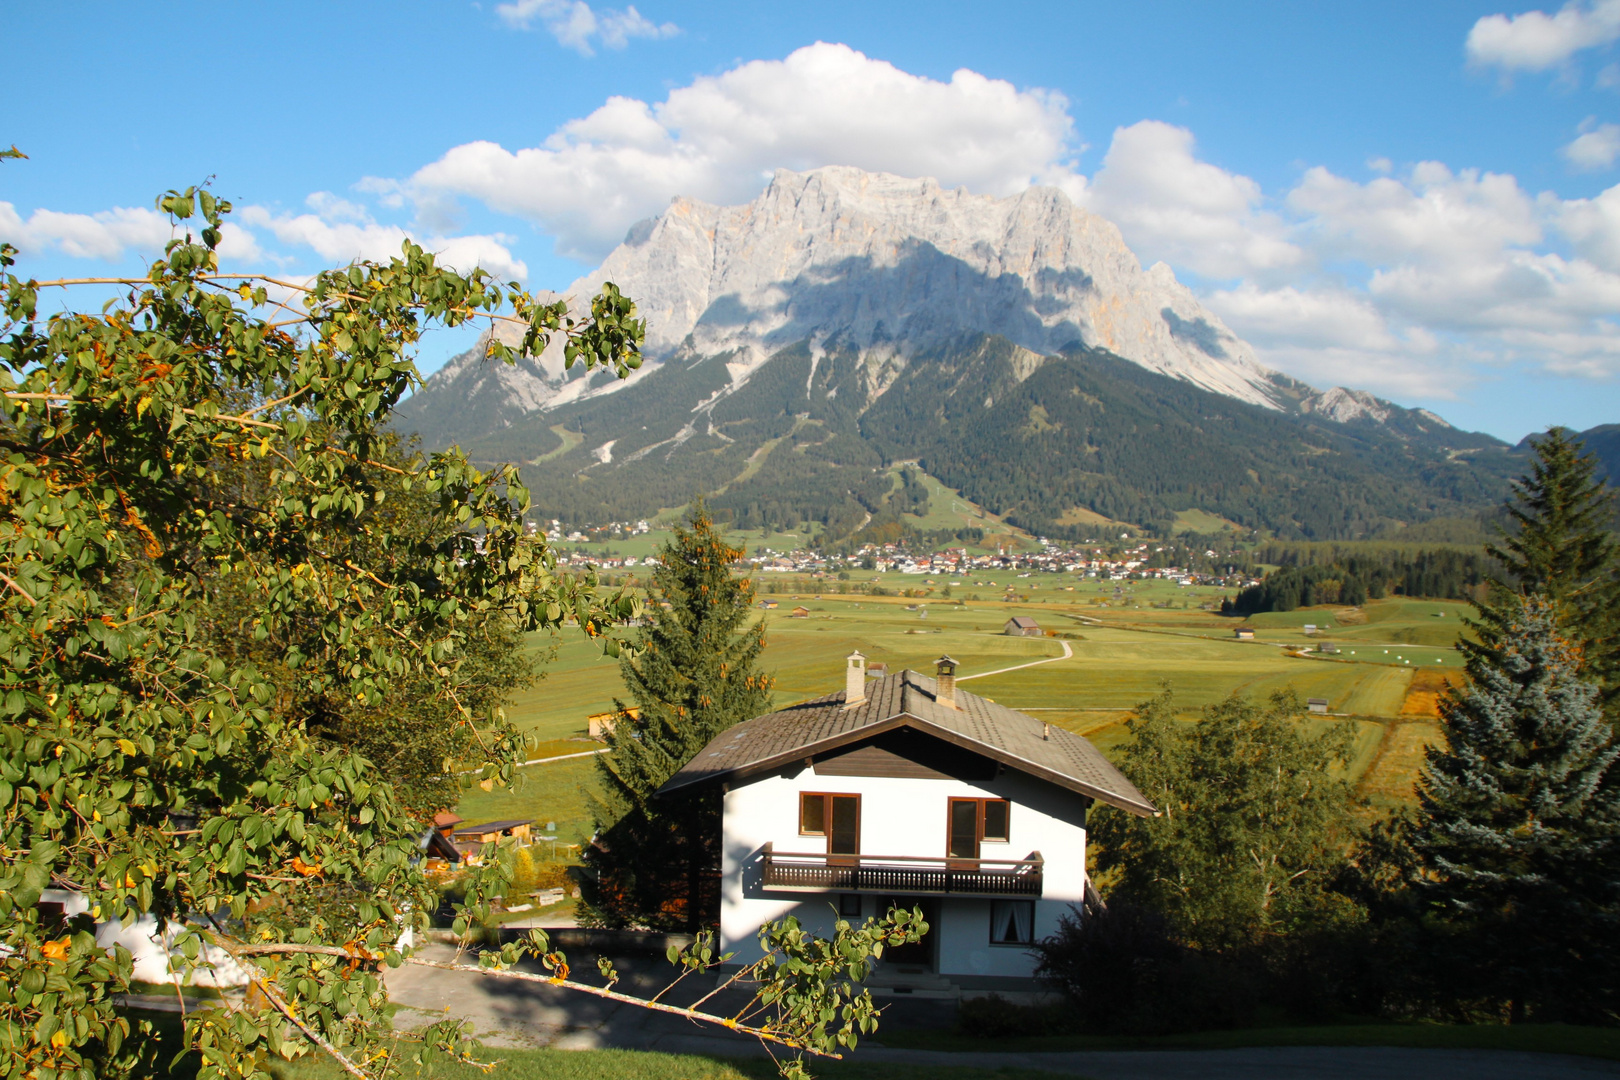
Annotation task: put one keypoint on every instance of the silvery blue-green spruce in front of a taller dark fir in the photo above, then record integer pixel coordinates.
(1519, 827)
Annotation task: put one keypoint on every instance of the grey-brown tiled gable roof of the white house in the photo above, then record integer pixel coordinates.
(908, 700)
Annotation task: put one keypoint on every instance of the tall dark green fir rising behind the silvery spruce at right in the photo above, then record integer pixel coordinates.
(1561, 546)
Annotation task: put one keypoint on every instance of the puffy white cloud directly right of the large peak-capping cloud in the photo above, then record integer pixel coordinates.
(1177, 208)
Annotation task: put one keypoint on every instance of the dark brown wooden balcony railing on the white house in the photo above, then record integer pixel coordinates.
(903, 875)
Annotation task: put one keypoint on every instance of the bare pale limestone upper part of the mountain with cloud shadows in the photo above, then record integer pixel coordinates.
(889, 268)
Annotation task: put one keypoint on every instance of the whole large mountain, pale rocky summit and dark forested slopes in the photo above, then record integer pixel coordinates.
(811, 352)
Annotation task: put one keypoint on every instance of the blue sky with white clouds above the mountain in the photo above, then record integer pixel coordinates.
(1412, 198)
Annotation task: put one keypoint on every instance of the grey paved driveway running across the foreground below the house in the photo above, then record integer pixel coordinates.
(508, 1013)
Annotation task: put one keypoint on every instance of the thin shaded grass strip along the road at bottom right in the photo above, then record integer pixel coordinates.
(1548, 1039)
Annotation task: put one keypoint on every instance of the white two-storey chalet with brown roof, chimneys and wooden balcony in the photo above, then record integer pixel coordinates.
(908, 791)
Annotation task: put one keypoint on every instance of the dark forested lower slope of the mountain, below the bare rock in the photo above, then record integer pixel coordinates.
(1049, 441)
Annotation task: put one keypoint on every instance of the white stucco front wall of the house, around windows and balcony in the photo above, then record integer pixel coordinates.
(902, 817)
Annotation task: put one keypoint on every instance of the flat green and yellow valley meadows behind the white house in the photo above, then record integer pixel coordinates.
(1122, 657)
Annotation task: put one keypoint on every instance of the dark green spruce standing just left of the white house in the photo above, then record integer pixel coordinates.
(655, 862)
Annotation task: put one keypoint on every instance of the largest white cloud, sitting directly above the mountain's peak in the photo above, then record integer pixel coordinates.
(715, 138)
